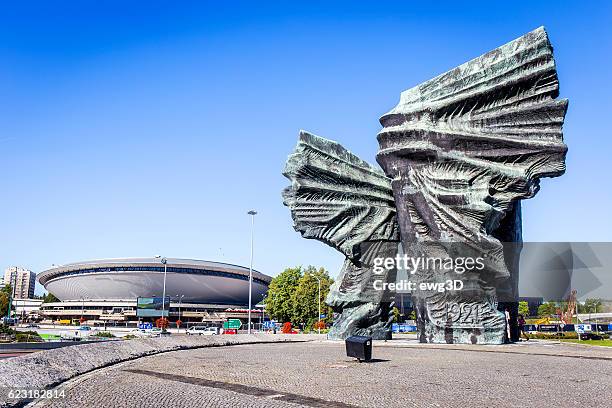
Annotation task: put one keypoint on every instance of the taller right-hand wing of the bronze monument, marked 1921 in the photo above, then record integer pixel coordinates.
(462, 150)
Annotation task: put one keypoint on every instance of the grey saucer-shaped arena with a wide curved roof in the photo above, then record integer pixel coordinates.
(104, 291)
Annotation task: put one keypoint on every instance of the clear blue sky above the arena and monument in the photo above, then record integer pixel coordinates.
(133, 129)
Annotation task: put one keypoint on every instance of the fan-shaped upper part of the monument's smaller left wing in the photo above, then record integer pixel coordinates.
(337, 198)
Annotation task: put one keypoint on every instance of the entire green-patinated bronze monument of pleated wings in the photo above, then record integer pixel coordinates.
(458, 153)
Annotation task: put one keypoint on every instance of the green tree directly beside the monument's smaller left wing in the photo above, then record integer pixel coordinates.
(305, 299)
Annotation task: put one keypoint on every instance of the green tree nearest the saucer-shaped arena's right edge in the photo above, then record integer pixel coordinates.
(278, 301)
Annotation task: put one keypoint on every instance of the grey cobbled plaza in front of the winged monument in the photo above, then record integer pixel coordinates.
(318, 374)
